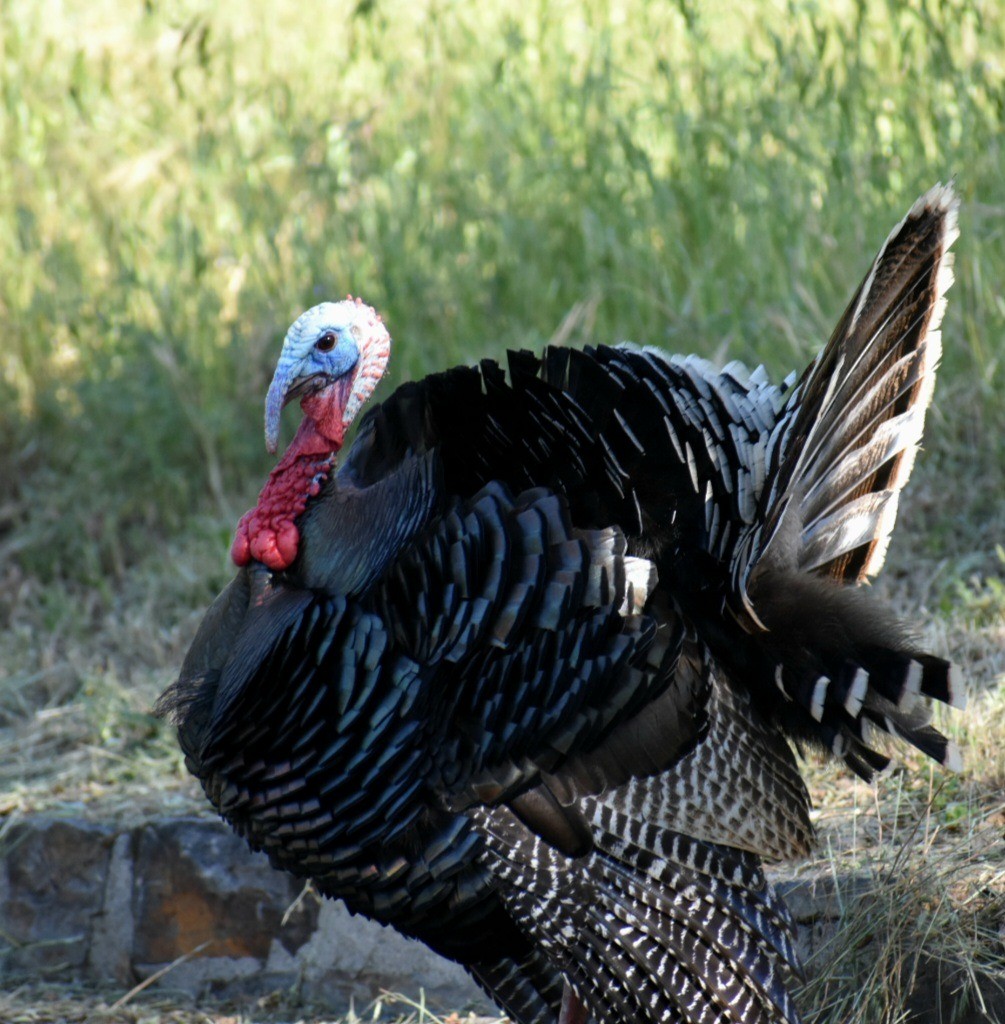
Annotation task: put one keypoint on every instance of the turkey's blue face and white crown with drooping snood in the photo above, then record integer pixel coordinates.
(321, 348)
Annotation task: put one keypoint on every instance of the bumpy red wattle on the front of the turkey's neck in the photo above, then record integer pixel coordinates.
(269, 533)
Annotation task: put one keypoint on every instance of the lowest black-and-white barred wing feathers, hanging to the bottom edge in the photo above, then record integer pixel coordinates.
(650, 926)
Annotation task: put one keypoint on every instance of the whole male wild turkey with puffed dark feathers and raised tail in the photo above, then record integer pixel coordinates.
(518, 678)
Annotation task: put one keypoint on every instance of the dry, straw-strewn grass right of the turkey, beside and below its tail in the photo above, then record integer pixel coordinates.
(924, 931)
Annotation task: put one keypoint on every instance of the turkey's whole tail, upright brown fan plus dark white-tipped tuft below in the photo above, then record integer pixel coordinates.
(843, 666)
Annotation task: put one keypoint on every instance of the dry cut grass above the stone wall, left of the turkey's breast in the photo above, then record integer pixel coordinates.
(81, 672)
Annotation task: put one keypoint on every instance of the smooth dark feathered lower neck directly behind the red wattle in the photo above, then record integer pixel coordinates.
(349, 534)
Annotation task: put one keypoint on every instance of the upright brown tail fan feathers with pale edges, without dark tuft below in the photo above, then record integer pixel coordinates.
(848, 444)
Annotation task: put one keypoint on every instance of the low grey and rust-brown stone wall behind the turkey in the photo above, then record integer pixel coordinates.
(99, 902)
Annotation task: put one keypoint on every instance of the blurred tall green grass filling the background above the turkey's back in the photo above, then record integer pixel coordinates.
(178, 181)
